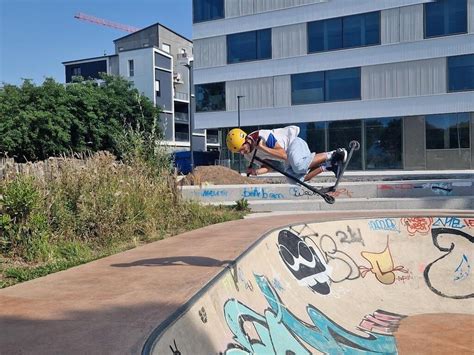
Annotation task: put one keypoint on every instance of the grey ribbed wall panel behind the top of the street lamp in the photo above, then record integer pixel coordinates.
(258, 93)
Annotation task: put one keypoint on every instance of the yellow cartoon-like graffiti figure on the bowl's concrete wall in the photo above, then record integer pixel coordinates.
(382, 266)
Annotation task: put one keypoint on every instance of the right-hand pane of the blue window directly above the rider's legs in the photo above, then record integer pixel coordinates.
(342, 84)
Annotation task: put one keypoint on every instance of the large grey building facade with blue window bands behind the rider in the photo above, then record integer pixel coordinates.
(397, 75)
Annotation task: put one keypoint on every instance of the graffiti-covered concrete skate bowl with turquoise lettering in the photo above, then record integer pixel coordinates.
(387, 285)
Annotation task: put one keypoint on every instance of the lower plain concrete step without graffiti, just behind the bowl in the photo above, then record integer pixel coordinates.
(359, 204)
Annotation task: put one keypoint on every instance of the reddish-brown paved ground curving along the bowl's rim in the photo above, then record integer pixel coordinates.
(111, 306)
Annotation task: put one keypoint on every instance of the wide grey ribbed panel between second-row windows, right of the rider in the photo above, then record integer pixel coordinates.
(423, 77)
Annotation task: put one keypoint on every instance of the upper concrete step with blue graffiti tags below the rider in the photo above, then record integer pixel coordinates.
(346, 190)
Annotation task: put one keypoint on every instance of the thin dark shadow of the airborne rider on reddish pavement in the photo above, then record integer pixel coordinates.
(177, 260)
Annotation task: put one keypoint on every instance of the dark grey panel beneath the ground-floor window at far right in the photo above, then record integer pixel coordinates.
(448, 159)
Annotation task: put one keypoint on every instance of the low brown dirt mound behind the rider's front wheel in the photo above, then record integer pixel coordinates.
(217, 175)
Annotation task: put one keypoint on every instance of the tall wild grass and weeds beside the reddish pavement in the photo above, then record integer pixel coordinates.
(89, 211)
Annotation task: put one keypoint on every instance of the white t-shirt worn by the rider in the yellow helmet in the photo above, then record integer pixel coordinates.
(283, 136)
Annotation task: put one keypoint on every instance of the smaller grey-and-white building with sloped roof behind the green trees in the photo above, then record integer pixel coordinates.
(155, 60)
